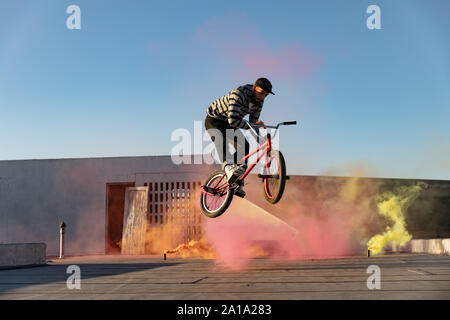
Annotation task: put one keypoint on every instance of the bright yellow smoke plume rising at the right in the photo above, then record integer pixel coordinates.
(393, 205)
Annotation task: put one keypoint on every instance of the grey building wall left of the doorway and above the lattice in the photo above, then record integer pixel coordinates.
(36, 195)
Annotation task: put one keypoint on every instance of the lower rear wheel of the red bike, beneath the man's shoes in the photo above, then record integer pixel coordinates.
(217, 199)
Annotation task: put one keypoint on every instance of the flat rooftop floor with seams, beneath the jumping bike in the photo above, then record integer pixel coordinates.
(403, 276)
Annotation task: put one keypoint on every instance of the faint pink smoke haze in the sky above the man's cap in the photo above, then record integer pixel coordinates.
(242, 44)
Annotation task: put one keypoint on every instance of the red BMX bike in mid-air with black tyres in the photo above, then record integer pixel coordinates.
(217, 193)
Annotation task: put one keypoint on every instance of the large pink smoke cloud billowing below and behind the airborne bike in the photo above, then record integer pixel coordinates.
(325, 224)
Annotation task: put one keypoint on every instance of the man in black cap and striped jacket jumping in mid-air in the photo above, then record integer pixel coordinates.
(227, 113)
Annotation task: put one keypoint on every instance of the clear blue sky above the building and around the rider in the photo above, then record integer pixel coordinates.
(377, 101)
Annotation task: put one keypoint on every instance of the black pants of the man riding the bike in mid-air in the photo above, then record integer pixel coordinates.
(236, 140)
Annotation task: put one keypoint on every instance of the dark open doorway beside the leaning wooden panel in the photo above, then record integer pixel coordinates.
(115, 204)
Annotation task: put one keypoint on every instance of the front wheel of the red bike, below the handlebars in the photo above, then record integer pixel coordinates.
(275, 180)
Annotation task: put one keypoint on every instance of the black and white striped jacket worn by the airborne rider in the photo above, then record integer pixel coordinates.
(235, 105)
